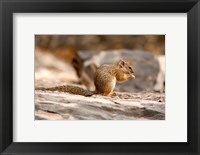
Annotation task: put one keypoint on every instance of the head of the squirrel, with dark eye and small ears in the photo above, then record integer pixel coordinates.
(127, 68)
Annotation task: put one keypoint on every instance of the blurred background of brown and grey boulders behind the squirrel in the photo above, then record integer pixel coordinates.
(72, 59)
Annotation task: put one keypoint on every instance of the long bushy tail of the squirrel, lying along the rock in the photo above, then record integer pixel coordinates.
(69, 89)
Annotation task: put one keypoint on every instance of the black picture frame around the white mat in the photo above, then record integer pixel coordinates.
(8, 7)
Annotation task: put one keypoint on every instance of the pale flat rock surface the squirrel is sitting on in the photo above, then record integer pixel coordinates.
(126, 106)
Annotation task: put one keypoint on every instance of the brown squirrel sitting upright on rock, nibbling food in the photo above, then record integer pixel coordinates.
(105, 79)
